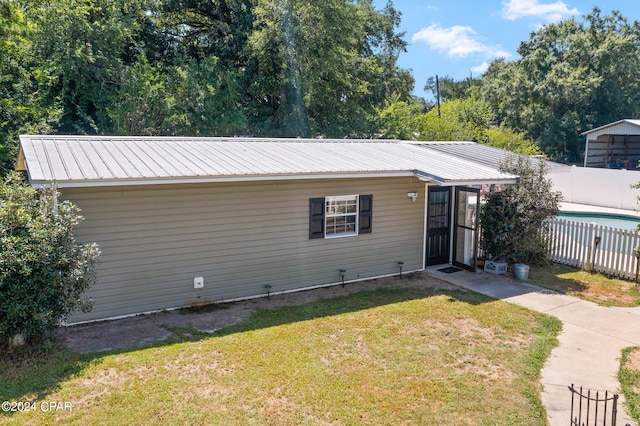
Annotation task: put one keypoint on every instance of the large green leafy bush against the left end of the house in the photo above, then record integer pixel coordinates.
(43, 271)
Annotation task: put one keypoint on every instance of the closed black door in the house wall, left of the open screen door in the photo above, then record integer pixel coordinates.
(438, 225)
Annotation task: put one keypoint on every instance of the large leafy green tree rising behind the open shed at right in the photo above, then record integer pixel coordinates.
(572, 76)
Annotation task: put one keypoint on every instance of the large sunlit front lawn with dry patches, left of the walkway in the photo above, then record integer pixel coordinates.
(390, 356)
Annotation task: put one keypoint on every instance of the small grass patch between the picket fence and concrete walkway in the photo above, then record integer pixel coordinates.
(593, 287)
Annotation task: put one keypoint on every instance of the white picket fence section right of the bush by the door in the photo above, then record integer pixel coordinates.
(594, 247)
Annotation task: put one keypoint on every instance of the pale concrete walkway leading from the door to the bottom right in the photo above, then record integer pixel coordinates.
(590, 343)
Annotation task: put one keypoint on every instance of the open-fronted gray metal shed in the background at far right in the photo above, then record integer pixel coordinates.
(613, 146)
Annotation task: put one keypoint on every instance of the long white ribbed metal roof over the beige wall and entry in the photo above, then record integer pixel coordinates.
(107, 161)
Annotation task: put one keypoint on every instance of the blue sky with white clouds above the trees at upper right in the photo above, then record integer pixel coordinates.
(459, 38)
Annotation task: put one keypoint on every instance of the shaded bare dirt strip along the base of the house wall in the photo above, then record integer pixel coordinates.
(145, 329)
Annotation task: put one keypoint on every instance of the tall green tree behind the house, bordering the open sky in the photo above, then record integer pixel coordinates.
(323, 68)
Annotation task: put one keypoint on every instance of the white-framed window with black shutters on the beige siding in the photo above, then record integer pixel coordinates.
(340, 216)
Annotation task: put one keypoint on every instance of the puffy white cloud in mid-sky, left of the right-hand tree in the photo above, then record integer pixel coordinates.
(458, 41)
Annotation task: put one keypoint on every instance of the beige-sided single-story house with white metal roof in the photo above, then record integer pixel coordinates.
(189, 221)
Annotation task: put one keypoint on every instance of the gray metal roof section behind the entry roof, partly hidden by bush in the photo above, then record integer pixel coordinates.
(486, 155)
